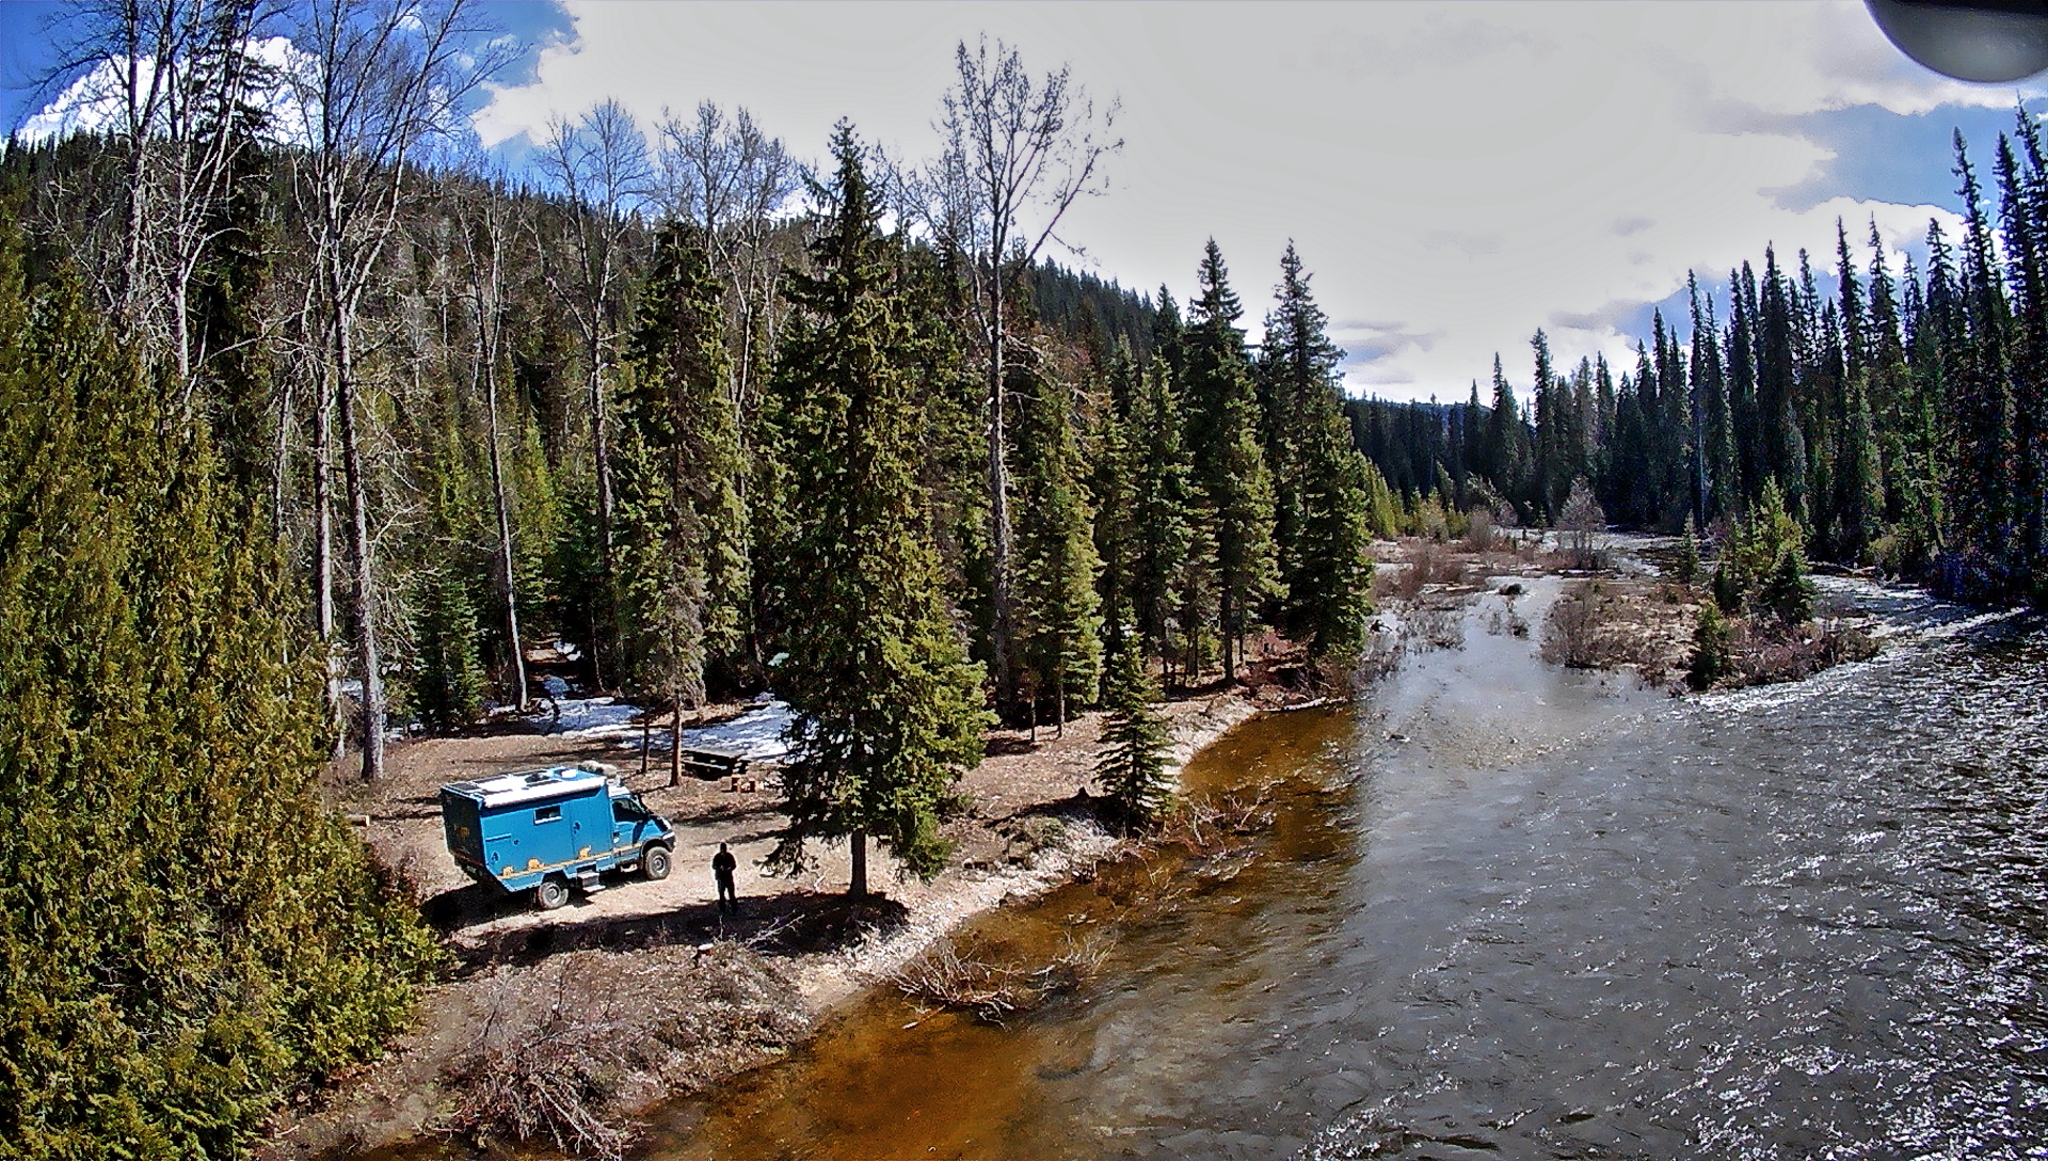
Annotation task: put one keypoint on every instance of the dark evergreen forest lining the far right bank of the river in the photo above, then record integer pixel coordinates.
(1900, 415)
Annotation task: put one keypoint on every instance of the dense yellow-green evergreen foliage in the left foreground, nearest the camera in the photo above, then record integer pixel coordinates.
(185, 933)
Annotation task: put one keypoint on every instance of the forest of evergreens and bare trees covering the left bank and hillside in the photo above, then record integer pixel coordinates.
(314, 429)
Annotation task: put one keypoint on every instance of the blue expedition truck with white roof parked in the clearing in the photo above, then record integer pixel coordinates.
(544, 830)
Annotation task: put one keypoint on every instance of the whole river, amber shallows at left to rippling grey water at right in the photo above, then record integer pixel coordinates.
(1519, 912)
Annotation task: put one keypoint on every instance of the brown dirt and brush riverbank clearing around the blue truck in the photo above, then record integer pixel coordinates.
(644, 990)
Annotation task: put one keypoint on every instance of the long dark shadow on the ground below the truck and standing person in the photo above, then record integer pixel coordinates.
(785, 924)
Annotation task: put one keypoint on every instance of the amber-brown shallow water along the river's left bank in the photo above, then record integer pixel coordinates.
(892, 1082)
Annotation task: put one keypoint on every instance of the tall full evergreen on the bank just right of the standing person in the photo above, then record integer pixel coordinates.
(888, 707)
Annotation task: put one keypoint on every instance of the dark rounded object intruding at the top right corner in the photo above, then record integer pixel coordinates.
(1988, 42)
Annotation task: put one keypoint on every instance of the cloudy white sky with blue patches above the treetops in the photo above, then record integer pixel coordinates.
(1455, 177)
